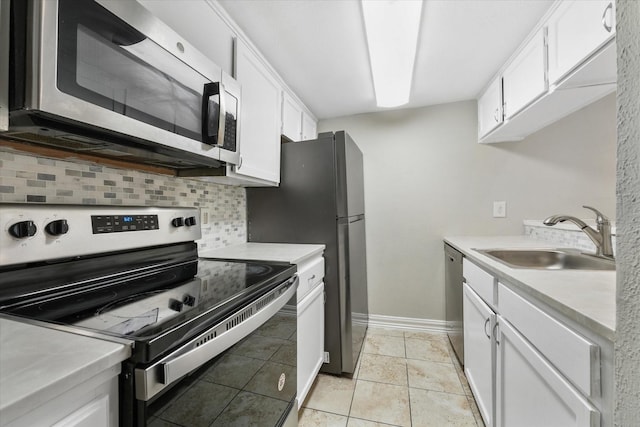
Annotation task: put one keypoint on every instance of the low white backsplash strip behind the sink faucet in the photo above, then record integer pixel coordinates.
(565, 236)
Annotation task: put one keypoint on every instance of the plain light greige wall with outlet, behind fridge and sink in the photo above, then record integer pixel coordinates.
(426, 178)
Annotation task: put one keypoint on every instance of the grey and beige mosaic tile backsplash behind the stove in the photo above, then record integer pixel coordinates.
(31, 179)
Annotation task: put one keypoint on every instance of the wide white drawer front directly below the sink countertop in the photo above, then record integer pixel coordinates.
(574, 356)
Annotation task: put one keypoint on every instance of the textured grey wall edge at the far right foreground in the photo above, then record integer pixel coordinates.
(627, 345)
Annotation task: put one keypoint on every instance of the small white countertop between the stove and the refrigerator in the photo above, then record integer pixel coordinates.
(279, 252)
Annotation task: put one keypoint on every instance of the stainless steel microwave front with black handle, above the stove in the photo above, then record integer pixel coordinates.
(113, 65)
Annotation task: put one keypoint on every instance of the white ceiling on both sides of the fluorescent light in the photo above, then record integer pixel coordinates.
(319, 48)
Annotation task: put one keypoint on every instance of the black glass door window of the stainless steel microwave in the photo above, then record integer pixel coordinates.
(106, 62)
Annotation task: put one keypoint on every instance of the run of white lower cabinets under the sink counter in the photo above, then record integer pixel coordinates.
(526, 365)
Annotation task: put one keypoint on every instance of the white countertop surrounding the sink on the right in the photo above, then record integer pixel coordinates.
(586, 296)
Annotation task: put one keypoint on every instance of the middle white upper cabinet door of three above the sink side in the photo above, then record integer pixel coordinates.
(523, 81)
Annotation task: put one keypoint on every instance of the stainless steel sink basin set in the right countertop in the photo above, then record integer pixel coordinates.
(549, 259)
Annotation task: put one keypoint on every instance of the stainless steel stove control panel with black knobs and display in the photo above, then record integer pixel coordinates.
(43, 232)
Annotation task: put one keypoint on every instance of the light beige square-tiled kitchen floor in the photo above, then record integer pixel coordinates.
(409, 379)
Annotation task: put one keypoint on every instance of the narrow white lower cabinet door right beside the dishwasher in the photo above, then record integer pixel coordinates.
(479, 351)
